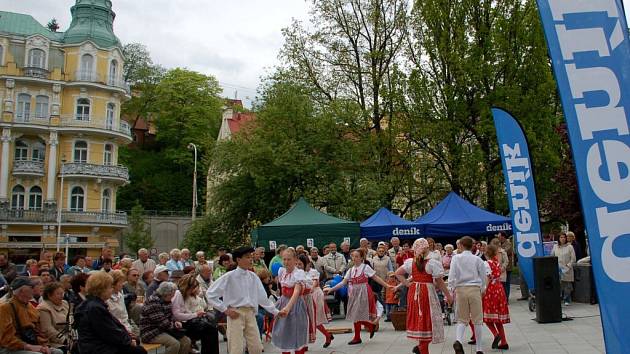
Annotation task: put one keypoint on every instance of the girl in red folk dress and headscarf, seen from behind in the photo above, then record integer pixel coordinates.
(424, 315)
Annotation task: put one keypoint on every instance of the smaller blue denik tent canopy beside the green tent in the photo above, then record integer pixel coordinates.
(385, 224)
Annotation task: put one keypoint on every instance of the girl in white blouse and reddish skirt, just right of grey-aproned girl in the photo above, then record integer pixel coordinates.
(318, 313)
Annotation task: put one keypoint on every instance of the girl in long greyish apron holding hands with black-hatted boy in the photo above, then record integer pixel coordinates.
(290, 331)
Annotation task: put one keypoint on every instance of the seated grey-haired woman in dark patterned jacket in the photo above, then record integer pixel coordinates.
(158, 325)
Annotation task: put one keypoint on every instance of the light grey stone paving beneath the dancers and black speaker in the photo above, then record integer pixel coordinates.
(582, 335)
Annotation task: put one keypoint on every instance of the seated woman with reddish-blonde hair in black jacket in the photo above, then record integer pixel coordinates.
(98, 331)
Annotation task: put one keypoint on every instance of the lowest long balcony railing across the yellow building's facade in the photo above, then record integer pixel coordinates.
(67, 217)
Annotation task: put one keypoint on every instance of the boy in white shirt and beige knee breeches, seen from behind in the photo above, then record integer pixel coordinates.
(468, 277)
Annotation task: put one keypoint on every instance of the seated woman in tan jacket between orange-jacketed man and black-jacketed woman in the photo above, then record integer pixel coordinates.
(53, 316)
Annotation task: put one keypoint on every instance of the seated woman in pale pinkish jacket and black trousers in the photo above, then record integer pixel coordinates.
(190, 308)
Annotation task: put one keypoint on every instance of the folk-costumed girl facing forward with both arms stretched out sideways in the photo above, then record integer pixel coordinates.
(360, 295)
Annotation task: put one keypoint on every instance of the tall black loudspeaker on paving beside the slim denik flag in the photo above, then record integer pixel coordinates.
(547, 280)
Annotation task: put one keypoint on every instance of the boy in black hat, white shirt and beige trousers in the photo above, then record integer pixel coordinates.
(238, 294)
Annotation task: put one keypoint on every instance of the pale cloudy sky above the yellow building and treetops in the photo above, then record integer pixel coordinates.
(236, 41)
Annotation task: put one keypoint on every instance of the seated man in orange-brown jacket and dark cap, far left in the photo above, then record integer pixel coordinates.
(11, 342)
